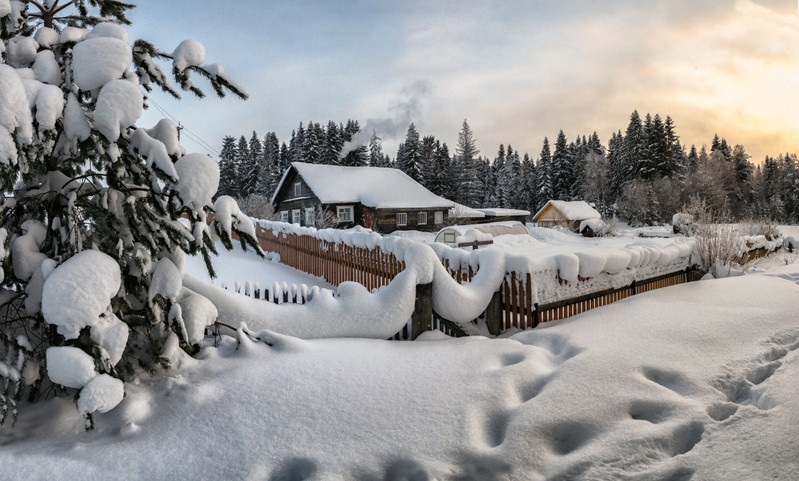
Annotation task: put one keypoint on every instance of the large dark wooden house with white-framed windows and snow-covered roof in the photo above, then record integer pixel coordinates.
(380, 199)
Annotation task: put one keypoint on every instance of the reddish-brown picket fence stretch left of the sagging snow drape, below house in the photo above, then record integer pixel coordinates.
(335, 262)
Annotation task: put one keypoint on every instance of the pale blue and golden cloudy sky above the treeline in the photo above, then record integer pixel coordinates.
(516, 70)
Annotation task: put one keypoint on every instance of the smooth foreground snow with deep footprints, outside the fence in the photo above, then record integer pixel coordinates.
(696, 381)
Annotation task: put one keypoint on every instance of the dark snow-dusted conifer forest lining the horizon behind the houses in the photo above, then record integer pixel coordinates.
(643, 175)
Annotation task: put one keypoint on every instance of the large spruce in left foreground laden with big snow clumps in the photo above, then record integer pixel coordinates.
(101, 213)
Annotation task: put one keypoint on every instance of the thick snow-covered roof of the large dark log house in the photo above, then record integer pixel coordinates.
(376, 187)
